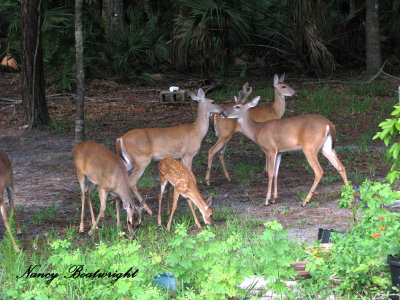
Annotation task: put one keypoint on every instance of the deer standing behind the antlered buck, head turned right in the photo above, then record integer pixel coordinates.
(225, 128)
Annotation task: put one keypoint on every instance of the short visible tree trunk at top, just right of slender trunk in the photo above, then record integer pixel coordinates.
(115, 20)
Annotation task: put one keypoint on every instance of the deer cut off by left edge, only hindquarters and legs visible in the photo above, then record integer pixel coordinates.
(7, 182)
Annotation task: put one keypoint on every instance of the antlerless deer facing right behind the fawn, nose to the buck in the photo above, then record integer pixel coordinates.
(139, 146)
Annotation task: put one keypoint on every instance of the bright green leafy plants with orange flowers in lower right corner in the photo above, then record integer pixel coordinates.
(358, 258)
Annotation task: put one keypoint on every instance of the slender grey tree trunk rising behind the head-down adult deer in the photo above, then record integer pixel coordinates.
(80, 75)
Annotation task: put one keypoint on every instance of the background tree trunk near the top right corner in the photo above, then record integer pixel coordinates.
(372, 38)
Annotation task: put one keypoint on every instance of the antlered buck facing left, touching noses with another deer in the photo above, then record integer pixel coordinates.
(310, 133)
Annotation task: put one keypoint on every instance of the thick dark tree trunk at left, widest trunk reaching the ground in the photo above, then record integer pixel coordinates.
(33, 85)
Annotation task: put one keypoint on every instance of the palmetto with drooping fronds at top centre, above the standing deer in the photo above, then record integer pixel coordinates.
(208, 33)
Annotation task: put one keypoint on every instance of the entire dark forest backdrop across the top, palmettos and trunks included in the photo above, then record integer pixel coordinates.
(130, 40)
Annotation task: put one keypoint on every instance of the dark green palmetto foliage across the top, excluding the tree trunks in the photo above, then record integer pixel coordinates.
(216, 37)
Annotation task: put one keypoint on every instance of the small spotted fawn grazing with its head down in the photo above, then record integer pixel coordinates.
(184, 183)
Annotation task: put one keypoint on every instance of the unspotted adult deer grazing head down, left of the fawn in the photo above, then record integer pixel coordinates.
(97, 165)
